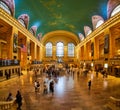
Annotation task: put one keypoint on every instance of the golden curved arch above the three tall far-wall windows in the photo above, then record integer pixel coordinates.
(60, 35)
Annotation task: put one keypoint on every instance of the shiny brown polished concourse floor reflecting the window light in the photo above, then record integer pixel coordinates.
(71, 92)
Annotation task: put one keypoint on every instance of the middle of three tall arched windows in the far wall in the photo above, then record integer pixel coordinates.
(60, 49)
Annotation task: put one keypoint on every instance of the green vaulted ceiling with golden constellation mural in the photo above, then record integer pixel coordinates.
(67, 15)
